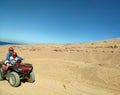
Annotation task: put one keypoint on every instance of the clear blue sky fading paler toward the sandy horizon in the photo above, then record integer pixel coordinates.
(59, 21)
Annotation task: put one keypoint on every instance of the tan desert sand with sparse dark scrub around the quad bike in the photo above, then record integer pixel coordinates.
(90, 68)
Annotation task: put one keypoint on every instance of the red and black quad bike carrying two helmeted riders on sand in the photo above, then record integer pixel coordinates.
(17, 72)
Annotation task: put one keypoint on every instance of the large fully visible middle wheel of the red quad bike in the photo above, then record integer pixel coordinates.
(14, 79)
